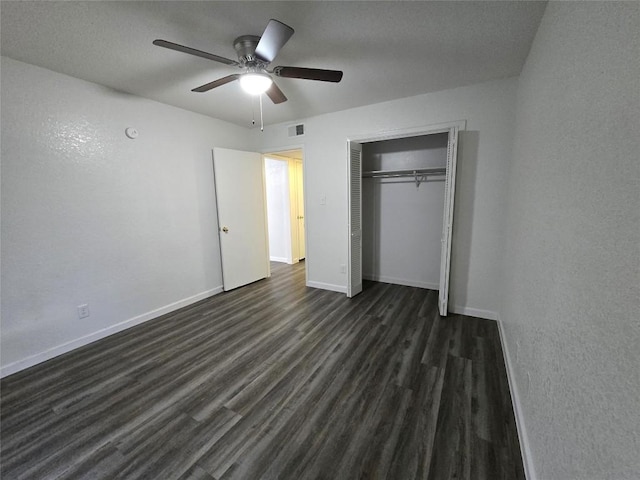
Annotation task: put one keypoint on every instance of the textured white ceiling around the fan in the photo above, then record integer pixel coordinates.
(387, 50)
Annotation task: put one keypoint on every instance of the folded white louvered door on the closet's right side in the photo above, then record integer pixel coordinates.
(449, 195)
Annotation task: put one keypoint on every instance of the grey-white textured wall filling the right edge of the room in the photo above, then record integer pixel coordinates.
(571, 302)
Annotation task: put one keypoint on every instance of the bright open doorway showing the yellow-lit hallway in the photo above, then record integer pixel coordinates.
(284, 181)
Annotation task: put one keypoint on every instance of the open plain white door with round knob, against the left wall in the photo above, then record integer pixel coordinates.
(240, 197)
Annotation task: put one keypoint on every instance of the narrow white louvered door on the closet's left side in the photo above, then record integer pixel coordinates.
(354, 281)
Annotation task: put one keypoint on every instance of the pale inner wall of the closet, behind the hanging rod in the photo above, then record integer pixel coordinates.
(402, 222)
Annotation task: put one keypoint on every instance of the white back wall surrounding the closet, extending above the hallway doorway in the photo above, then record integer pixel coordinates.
(484, 153)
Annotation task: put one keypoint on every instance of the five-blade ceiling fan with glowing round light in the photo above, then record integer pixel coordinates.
(254, 56)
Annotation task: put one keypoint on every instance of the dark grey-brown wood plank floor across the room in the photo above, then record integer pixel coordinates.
(274, 380)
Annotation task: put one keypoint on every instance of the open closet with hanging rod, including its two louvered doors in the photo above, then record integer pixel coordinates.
(401, 192)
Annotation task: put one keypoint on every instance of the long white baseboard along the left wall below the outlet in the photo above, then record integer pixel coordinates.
(105, 332)
